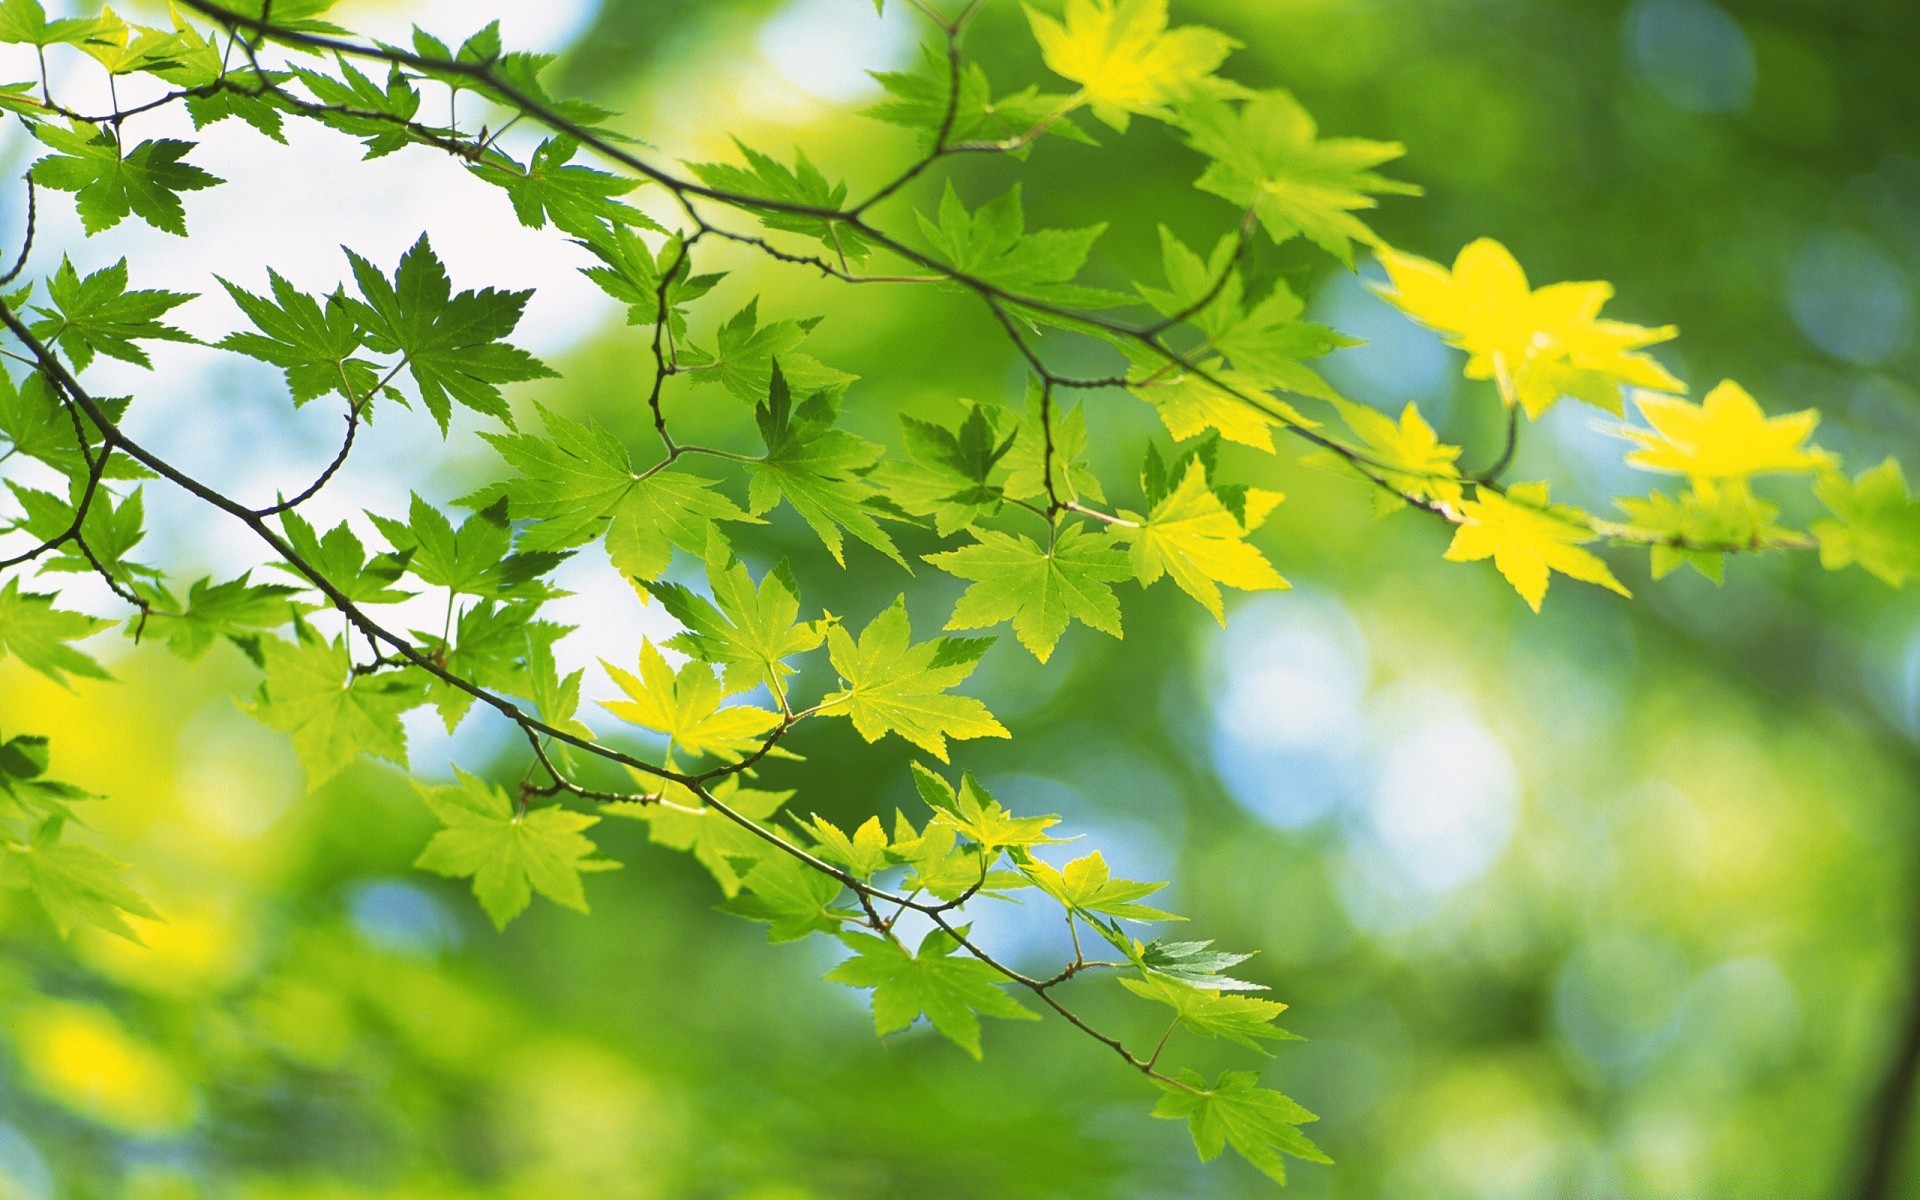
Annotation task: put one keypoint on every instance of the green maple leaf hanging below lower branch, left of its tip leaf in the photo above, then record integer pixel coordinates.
(930, 982)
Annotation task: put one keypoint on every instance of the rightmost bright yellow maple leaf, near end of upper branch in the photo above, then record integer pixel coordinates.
(1723, 439)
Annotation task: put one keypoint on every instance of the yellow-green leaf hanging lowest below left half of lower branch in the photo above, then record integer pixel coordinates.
(510, 853)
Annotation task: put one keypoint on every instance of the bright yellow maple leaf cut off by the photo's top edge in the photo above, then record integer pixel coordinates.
(1126, 59)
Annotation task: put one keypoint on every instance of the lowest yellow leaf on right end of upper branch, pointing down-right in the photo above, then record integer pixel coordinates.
(1527, 539)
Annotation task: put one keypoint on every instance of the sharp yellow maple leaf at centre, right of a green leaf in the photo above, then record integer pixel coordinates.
(1199, 542)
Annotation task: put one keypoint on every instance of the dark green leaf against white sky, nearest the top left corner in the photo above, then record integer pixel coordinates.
(110, 185)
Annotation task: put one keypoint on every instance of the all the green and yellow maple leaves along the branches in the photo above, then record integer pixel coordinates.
(1001, 485)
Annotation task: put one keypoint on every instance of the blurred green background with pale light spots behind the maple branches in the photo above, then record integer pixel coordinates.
(1614, 901)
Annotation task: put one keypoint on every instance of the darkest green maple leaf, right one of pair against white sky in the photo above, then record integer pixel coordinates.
(454, 345)
